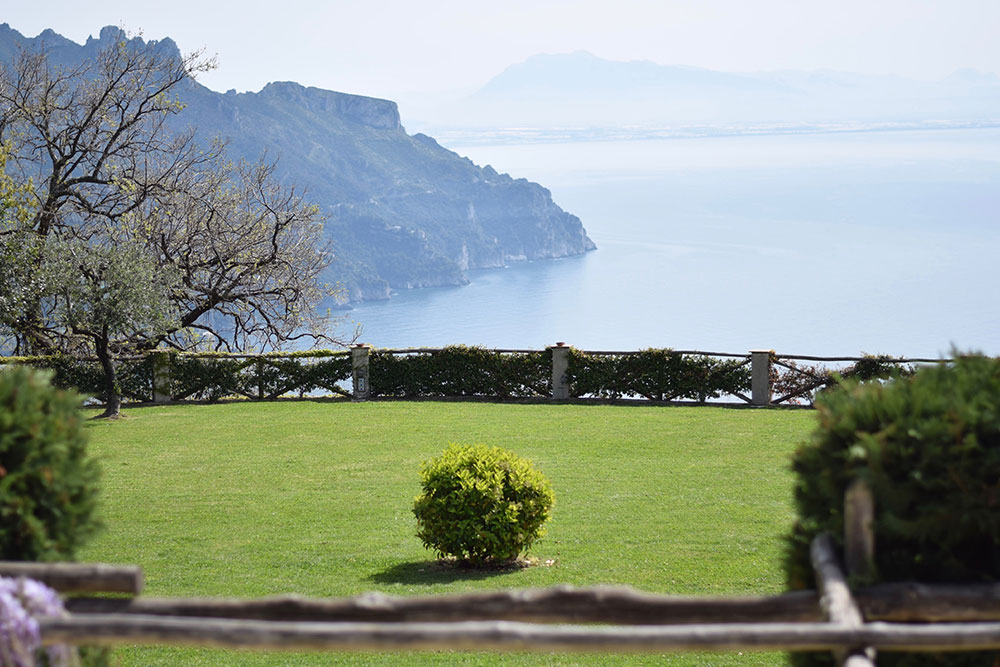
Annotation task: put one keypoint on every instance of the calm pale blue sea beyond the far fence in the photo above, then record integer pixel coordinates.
(880, 242)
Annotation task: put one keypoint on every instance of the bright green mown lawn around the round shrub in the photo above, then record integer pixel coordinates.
(254, 499)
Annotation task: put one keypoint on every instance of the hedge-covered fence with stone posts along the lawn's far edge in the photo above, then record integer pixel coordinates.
(560, 372)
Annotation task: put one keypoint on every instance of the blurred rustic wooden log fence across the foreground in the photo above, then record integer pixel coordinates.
(853, 625)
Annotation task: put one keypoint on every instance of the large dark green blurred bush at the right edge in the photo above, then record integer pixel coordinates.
(929, 447)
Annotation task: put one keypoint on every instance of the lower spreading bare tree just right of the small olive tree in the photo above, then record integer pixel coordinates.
(250, 253)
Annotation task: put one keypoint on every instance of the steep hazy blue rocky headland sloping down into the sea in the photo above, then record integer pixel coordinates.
(403, 211)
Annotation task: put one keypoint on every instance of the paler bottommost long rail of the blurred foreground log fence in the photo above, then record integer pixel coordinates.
(109, 629)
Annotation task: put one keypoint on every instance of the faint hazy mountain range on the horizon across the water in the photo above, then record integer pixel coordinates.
(580, 90)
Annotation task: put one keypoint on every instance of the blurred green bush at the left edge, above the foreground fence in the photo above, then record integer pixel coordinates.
(48, 485)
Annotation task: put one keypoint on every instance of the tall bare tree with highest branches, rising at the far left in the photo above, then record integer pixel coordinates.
(92, 140)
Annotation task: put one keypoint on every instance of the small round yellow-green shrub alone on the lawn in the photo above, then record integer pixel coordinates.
(482, 505)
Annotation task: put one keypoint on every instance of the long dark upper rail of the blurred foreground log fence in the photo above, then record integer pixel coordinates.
(894, 602)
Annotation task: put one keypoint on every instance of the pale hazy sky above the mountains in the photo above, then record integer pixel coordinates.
(389, 48)
